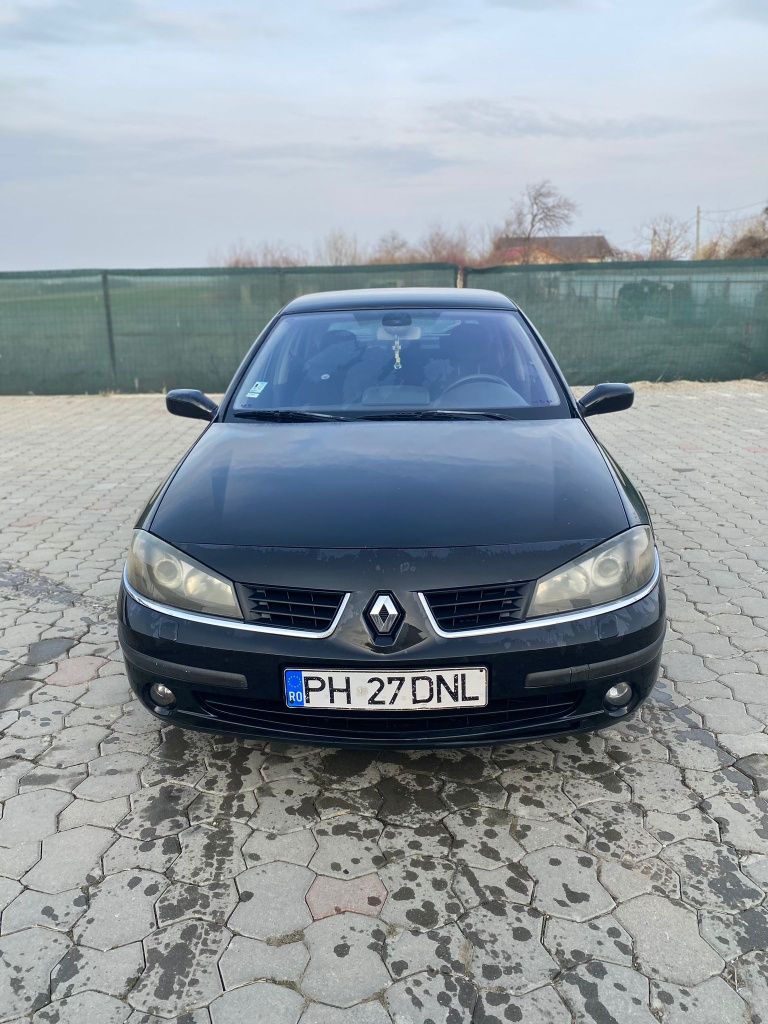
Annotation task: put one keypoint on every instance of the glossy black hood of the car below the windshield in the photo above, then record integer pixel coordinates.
(399, 485)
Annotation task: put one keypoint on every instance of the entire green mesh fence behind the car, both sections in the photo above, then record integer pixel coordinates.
(76, 332)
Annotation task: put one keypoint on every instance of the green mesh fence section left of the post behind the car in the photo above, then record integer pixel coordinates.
(76, 332)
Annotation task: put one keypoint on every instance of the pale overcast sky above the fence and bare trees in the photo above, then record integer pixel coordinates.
(158, 134)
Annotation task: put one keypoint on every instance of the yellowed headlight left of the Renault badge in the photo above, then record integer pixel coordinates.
(168, 576)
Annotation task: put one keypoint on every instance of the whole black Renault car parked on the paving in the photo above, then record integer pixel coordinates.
(398, 531)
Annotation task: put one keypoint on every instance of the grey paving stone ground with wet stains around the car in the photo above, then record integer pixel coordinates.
(151, 876)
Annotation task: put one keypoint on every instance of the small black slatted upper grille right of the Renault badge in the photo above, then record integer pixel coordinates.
(480, 608)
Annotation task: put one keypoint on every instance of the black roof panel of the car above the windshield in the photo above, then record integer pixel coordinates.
(382, 298)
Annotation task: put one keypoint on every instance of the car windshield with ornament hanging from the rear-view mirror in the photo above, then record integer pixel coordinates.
(400, 364)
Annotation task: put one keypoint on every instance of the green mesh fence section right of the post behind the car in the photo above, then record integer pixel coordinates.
(681, 321)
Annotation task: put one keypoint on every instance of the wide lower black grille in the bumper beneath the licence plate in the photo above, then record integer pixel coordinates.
(500, 720)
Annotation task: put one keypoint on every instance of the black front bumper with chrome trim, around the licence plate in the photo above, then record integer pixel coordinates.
(544, 681)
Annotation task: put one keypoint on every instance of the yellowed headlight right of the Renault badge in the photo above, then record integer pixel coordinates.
(612, 571)
